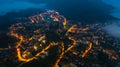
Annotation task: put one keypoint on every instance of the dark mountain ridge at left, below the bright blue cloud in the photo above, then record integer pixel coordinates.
(15, 17)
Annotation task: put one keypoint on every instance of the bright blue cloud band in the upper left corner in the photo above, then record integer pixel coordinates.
(12, 5)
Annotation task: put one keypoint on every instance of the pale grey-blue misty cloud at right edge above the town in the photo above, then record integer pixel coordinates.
(113, 30)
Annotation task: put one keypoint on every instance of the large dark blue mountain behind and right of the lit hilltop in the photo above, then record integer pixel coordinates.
(84, 10)
